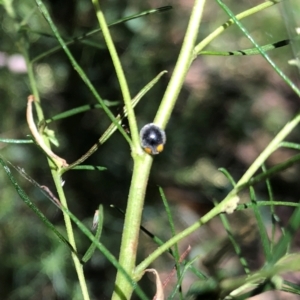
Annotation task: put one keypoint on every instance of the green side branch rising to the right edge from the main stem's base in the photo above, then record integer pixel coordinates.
(274, 144)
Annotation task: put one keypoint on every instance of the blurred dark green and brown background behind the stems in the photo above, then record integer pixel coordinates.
(227, 112)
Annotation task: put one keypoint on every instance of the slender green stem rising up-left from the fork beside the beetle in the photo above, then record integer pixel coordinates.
(135, 146)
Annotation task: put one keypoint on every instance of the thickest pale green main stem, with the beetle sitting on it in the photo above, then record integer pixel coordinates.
(142, 163)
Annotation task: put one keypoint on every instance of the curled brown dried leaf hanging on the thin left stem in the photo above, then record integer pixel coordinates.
(60, 162)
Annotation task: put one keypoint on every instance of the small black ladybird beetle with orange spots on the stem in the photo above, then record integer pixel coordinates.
(152, 138)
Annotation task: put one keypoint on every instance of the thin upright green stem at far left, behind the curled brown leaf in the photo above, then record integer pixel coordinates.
(55, 174)
